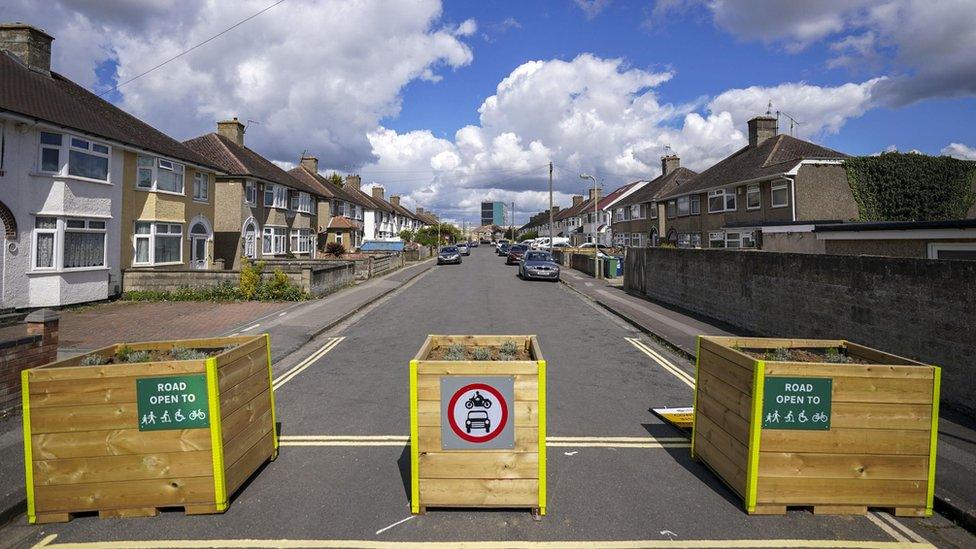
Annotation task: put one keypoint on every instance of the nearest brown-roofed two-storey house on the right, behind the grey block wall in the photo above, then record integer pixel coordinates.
(775, 178)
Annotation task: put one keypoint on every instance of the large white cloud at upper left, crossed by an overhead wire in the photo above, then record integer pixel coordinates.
(315, 75)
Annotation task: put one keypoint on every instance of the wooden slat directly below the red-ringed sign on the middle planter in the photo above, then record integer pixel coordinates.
(480, 465)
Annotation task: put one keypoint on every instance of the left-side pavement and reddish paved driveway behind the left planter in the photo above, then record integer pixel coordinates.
(291, 325)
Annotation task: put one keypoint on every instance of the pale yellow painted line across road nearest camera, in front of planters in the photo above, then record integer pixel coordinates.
(373, 544)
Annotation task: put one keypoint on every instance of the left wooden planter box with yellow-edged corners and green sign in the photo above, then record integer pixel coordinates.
(87, 448)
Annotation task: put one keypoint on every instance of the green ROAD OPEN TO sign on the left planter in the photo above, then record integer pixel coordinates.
(172, 402)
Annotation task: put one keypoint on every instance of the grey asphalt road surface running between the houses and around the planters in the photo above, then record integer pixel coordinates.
(348, 485)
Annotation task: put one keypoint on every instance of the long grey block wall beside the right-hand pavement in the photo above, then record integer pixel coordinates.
(918, 308)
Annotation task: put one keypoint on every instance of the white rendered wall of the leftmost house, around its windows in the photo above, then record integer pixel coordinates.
(28, 193)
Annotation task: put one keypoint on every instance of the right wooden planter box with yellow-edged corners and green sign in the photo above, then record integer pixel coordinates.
(874, 448)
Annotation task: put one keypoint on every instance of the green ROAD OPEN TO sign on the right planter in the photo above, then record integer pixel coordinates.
(797, 403)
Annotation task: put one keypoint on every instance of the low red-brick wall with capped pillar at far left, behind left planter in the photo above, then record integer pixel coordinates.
(33, 343)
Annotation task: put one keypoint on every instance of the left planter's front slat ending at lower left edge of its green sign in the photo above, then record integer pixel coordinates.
(92, 417)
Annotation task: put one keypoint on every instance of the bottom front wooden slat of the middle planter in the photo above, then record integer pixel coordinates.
(479, 492)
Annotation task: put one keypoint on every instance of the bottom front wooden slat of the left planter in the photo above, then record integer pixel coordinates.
(125, 494)
